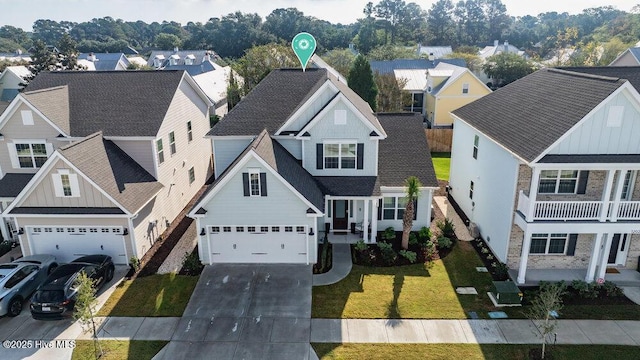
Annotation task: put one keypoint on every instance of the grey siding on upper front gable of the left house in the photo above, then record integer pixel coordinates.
(15, 131)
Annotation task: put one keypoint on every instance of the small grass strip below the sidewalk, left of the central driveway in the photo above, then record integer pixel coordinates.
(118, 349)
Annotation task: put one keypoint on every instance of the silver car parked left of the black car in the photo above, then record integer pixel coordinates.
(20, 278)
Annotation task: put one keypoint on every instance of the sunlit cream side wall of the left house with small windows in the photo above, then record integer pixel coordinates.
(173, 173)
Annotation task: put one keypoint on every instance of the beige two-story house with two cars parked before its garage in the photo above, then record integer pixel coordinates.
(101, 162)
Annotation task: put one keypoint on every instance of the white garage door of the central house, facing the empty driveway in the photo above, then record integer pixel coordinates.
(258, 244)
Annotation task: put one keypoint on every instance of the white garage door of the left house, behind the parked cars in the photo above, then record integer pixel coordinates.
(68, 243)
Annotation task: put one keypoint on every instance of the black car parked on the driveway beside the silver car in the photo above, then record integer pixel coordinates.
(56, 297)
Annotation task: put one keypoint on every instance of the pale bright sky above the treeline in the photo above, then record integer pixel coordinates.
(22, 13)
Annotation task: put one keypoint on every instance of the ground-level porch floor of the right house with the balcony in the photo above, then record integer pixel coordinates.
(620, 276)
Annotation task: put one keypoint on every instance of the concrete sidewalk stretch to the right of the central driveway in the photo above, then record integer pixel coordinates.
(579, 332)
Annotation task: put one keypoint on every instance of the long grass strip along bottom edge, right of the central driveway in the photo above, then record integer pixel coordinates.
(470, 351)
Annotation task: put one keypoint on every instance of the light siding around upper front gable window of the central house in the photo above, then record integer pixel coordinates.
(353, 130)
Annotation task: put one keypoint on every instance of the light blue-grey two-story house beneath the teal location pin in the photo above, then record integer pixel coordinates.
(302, 156)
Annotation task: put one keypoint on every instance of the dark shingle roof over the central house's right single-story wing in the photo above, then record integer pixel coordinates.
(405, 152)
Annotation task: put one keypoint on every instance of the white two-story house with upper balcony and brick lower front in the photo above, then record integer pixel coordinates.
(546, 167)
